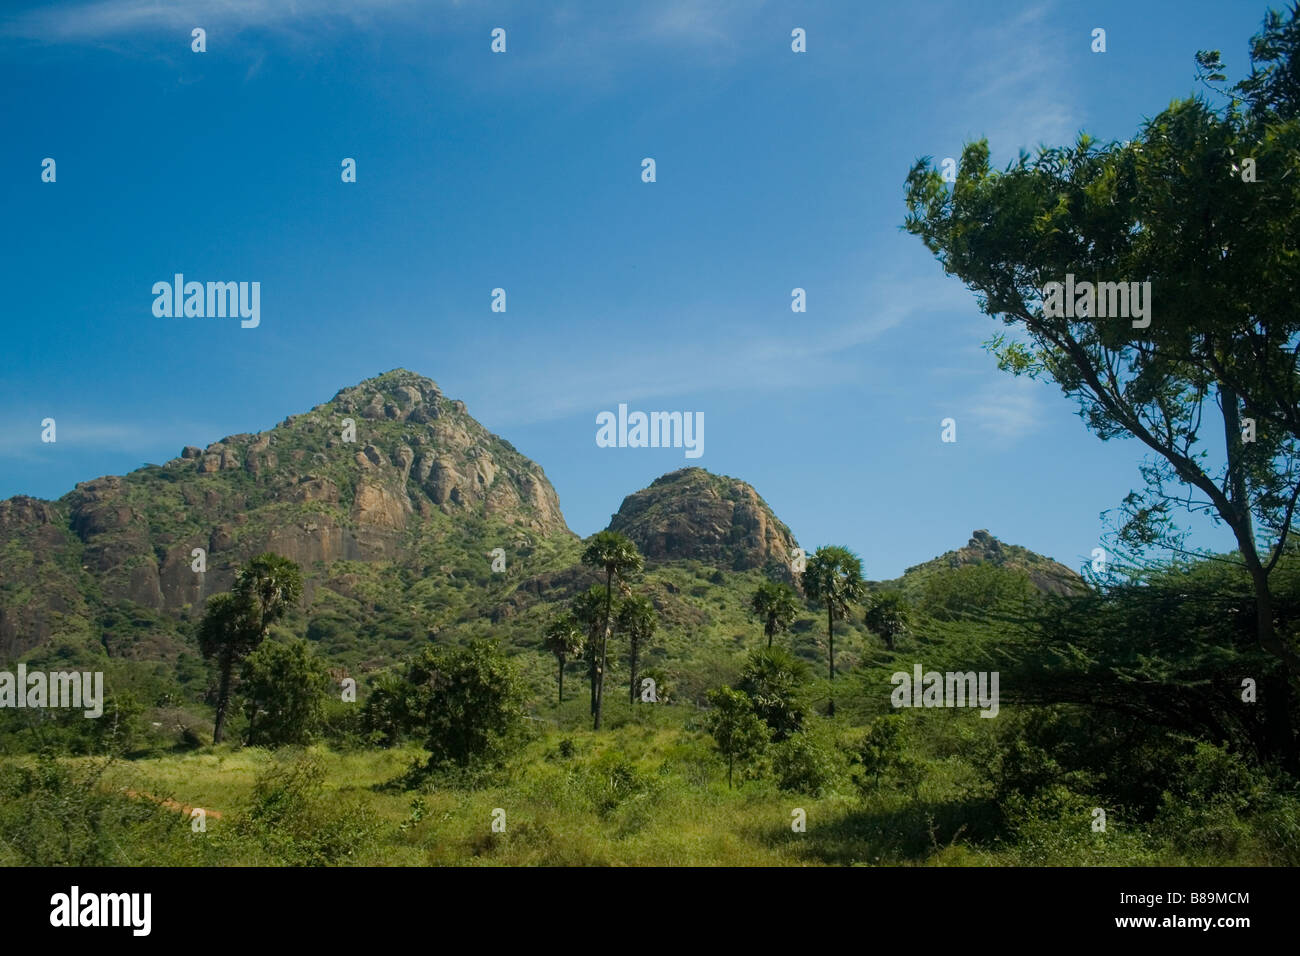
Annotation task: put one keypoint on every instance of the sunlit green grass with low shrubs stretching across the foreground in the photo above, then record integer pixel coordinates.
(647, 791)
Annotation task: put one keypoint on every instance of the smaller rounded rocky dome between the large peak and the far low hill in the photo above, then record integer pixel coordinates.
(712, 518)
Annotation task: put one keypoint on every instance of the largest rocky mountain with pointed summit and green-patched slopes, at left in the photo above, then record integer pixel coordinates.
(304, 490)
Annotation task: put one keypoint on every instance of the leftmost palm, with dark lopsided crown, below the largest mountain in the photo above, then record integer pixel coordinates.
(236, 624)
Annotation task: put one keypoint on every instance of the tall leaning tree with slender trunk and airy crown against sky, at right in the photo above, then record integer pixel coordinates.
(1180, 207)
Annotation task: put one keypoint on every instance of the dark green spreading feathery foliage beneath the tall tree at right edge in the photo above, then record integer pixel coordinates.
(1185, 676)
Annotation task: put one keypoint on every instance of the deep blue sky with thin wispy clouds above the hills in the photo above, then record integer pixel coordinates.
(523, 171)
